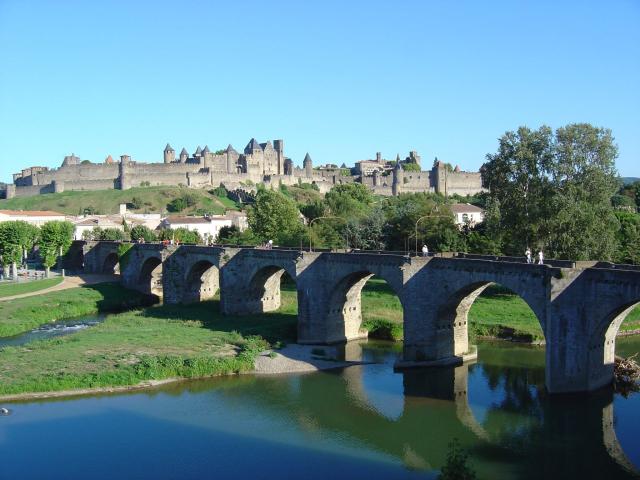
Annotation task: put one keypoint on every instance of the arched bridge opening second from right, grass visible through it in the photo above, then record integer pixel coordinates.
(492, 310)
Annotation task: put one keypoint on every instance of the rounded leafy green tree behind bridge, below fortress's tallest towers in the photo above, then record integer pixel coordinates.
(275, 217)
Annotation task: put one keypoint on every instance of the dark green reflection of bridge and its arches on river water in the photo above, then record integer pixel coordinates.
(512, 428)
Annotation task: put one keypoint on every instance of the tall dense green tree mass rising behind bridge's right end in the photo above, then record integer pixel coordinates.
(553, 191)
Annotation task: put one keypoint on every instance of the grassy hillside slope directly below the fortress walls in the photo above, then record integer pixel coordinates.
(153, 200)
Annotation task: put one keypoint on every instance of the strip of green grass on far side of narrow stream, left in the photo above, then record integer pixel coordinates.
(24, 314)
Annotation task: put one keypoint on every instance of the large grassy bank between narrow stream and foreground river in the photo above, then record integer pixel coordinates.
(152, 344)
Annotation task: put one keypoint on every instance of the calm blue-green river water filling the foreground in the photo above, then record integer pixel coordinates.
(360, 422)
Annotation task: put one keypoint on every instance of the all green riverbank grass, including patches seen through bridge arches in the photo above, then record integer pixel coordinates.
(163, 342)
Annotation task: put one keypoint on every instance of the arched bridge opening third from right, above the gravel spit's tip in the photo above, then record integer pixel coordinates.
(361, 304)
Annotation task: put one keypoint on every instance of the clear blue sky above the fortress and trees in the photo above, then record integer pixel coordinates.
(338, 79)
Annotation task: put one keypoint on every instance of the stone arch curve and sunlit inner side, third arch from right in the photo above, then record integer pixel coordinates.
(344, 308)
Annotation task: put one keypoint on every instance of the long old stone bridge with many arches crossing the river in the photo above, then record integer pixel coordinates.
(580, 305)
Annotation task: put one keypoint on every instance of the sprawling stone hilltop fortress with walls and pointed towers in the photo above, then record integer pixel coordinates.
(259, 163)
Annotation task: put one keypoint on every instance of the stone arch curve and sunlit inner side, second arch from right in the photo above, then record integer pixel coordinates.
(452, 321)
